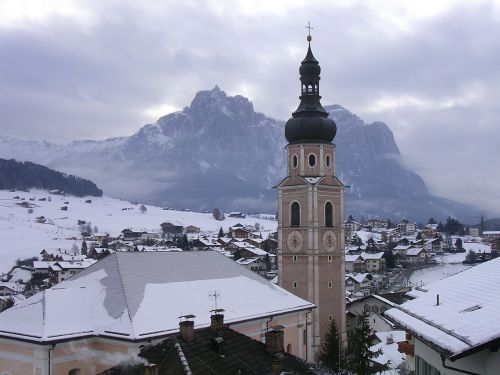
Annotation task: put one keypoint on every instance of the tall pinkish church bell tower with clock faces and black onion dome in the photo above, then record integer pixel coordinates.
(311, 211)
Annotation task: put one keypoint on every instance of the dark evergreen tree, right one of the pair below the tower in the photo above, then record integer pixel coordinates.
(361, 355)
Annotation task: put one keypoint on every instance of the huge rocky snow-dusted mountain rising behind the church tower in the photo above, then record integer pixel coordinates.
(219, 152)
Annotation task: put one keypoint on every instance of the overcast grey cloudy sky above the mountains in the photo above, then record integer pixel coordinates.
(429, 69)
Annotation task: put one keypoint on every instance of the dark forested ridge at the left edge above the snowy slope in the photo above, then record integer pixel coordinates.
(27, 175)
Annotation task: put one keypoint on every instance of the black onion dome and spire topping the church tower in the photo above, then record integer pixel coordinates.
(310, 122)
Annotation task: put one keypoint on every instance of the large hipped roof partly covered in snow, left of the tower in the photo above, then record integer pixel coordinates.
(140, 295)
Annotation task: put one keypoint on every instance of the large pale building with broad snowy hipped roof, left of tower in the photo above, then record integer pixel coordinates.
(130, 299)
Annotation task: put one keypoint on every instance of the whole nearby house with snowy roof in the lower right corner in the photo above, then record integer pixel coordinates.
(452, 324)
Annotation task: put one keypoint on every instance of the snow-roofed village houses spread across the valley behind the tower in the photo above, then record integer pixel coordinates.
(379, 257)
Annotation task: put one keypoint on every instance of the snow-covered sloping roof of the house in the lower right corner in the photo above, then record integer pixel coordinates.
(467, 313)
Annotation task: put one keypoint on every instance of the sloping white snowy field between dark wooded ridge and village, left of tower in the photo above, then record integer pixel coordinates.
(22, 237)
